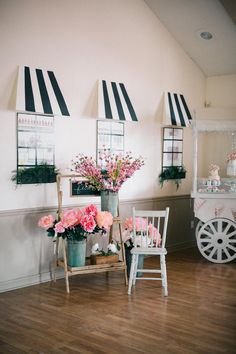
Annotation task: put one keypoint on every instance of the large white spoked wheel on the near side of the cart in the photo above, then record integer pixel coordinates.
(216, 240)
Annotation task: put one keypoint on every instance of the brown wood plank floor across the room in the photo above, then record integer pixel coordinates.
(199, 316)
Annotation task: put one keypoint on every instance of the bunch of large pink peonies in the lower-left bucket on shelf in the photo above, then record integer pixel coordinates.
(77, 223)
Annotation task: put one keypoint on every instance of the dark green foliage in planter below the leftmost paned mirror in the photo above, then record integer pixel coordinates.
(42, 173)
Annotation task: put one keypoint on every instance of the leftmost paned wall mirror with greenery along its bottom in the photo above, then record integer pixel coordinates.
(35, 147)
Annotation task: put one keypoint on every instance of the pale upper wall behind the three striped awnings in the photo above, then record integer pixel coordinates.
(83, 41)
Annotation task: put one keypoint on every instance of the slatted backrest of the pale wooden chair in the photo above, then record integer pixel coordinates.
(147, 225)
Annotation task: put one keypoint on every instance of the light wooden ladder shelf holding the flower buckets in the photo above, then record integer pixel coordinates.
(88, 268)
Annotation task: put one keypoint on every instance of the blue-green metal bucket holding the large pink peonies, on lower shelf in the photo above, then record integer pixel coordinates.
(76, 253)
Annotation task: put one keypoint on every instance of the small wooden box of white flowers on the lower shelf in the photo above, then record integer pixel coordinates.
(102, 257)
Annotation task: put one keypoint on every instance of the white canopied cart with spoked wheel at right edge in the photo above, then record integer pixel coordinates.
(214, 207)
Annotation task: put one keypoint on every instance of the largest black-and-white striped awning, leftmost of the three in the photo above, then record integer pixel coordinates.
(38, 92)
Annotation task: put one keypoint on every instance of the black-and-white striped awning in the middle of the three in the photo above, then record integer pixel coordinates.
(114, 102)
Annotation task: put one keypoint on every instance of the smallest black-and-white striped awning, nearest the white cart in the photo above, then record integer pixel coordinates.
(176, 111)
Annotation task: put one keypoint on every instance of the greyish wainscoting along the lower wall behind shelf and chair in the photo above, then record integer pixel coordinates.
(26, 253)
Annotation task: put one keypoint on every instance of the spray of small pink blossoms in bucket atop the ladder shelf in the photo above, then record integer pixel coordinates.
(111, 171)
